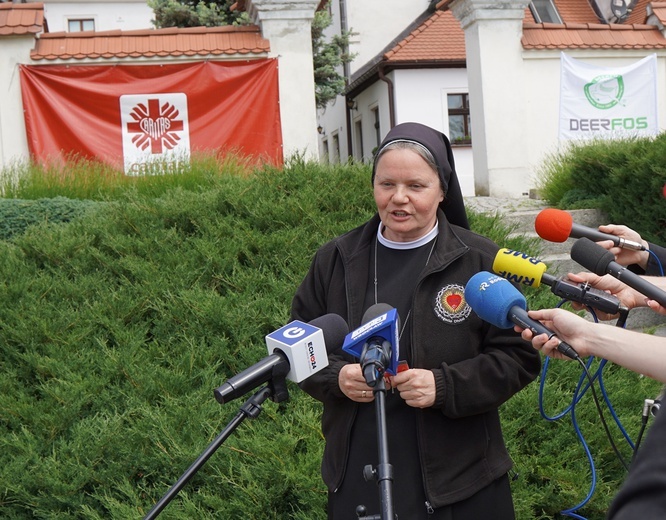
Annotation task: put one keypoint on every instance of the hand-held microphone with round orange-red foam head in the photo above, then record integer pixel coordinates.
(556, 225)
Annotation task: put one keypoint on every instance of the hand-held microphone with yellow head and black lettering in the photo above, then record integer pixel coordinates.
(524, 270)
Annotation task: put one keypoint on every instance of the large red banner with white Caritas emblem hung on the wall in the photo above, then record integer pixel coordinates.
(132, 115)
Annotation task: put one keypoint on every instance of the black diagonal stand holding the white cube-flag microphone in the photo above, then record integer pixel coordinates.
(275, 389)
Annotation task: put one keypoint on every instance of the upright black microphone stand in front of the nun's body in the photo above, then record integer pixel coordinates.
(384, 471)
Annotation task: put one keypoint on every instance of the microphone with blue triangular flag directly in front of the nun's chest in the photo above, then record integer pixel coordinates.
(375, 342)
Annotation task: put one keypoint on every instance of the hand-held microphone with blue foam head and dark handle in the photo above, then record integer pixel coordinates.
(497, 301)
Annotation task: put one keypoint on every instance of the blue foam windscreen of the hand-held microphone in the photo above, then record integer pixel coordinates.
(491, 297)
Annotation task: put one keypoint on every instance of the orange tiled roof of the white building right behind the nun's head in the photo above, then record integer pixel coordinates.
(439, 38)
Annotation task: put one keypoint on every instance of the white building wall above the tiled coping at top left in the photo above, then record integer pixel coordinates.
(125, 15)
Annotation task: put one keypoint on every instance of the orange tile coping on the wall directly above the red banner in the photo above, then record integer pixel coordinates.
(194, 41)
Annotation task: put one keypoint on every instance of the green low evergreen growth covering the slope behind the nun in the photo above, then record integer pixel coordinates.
(118, 322)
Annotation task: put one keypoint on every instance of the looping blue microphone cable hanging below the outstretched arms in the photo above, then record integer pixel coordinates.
(585, 383)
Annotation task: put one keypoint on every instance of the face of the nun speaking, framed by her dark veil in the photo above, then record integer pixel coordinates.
(407, 193)
